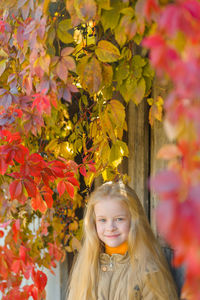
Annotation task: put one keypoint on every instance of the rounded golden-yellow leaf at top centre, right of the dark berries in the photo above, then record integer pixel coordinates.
(107, 52)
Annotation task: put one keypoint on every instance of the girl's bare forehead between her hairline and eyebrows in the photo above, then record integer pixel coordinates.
(110, 207)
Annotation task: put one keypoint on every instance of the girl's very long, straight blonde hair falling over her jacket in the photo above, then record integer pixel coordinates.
(142, 245)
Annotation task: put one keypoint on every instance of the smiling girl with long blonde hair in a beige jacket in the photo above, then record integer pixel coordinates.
(120, 258)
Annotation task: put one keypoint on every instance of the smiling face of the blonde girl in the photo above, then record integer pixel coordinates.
(112, 222)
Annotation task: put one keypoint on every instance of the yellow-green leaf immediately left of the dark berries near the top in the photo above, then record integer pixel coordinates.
(63, 31)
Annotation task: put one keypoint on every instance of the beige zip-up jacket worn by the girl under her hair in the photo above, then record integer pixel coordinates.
(115, 275)
